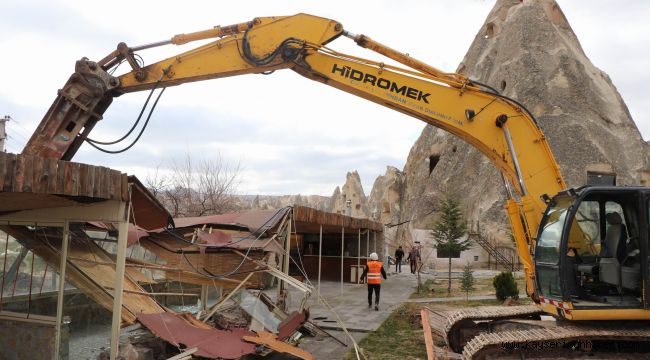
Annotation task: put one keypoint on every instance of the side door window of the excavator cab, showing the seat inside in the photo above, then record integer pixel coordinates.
(602, 263)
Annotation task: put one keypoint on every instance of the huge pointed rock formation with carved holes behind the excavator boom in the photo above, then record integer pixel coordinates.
(528, 51)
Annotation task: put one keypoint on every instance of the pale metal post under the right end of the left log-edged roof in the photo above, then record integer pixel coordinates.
(123, 230)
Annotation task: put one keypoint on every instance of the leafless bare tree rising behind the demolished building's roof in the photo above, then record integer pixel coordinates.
(197, 188)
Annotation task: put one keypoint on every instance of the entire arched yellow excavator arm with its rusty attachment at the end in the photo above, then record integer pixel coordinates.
(497, 126)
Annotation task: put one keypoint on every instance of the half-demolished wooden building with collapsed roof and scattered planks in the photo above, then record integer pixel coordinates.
(75, 236)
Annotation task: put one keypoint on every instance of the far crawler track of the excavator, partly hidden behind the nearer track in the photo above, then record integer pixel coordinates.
(456, 325)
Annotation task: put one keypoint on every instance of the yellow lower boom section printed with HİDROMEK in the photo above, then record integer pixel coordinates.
(444, 107)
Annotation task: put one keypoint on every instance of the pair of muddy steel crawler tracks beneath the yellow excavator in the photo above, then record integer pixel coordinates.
(487, 333)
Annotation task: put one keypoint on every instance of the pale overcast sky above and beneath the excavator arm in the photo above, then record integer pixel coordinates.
(289, 134)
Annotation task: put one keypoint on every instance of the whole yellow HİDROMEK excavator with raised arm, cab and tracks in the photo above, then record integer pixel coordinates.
(584, 251)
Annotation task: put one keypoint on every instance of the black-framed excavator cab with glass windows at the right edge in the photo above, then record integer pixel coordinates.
(592, 248)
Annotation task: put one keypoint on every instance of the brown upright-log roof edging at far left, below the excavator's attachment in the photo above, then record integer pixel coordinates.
(33, 174)
